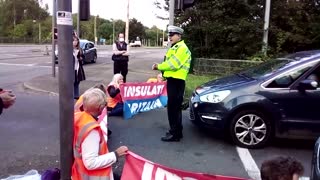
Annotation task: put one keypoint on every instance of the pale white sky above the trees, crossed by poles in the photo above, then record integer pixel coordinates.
(143, 10)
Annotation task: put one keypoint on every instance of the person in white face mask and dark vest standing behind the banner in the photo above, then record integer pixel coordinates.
(120, 57)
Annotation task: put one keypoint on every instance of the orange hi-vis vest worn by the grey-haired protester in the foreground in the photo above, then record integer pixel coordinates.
(84, 123)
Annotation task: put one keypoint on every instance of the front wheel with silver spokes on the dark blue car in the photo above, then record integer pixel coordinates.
(250, 129)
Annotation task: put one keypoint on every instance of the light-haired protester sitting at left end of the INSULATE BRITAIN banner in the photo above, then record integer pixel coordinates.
(115, 103)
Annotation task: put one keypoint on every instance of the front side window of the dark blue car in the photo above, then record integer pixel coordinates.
(286, 79)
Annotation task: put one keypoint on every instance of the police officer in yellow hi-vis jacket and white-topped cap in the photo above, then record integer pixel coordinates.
(175, 69)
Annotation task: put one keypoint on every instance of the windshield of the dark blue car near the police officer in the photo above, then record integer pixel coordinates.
(267, 68)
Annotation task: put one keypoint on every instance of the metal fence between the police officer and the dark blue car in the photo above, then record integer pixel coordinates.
(204, 66)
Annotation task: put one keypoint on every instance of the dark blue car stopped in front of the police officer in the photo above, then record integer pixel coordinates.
(279, 97)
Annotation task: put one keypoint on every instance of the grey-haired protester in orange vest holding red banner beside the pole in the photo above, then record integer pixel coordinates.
(92, 159)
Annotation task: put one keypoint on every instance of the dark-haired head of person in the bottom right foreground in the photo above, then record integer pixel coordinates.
(281, 168)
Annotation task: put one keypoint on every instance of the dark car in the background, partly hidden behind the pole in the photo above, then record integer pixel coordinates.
(89, 51)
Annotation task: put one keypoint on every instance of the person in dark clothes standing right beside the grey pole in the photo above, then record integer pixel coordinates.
(78, 66)
